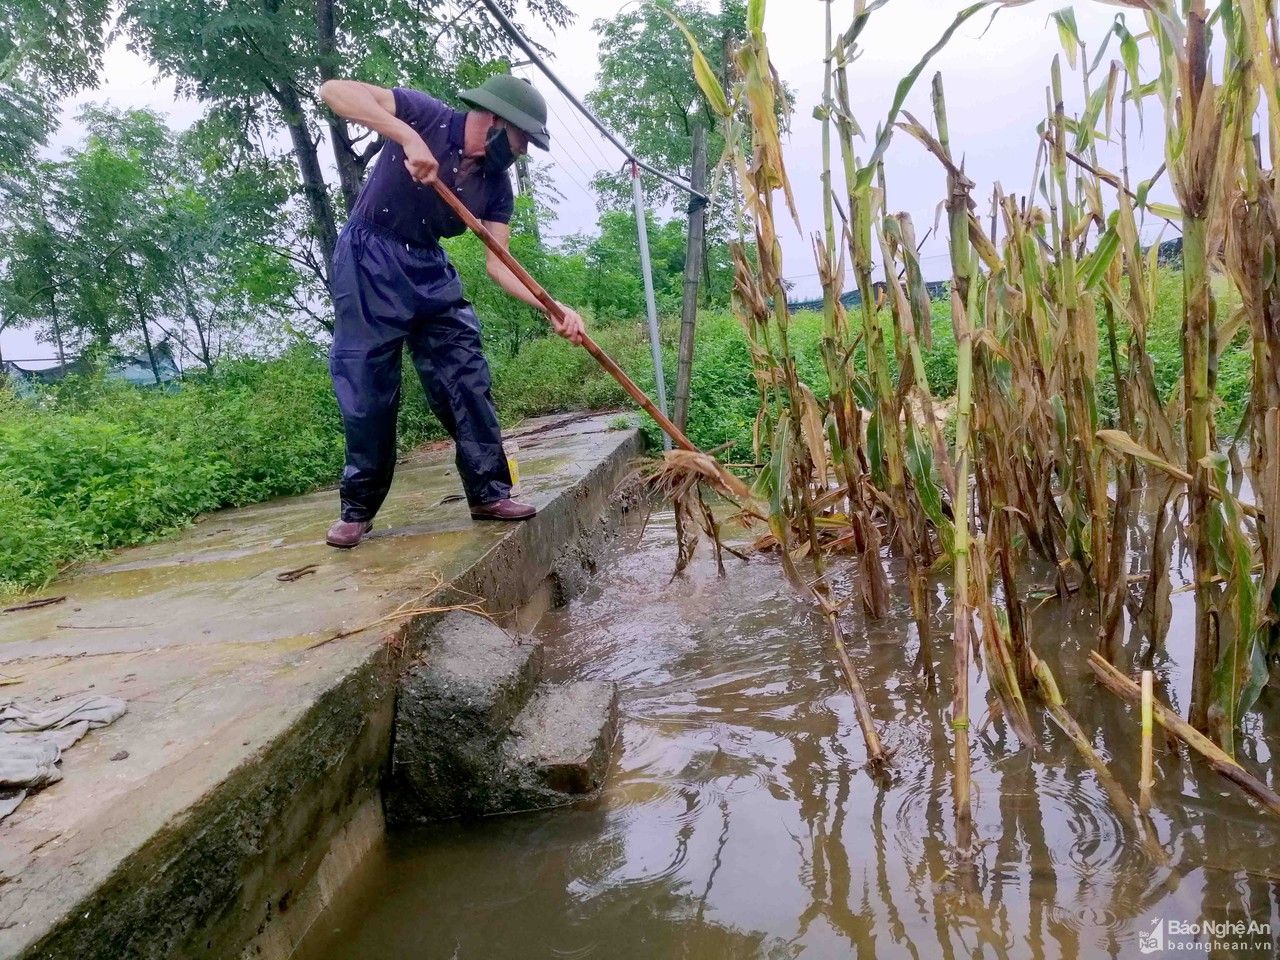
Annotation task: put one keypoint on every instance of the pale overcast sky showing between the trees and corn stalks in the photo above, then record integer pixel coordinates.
(995, 81)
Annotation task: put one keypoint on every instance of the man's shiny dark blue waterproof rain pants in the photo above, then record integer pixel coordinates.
(387, 294)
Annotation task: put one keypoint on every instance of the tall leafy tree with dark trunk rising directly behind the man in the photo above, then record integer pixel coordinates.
(266, 58)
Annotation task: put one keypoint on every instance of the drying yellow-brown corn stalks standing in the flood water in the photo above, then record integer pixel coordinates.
(1017, 491)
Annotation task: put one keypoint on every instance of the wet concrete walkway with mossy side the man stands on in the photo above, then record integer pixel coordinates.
(252, 734)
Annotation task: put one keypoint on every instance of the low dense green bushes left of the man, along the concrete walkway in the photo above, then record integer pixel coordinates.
(95, 465)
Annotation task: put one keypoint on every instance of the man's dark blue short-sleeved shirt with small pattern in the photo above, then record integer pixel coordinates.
(413, 211)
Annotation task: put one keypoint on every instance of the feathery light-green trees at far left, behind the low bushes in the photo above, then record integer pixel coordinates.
(144, 236)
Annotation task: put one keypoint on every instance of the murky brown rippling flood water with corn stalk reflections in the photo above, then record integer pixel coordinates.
(739, 820)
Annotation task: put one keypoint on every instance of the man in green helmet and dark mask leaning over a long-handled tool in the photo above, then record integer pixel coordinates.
(394, 285)
